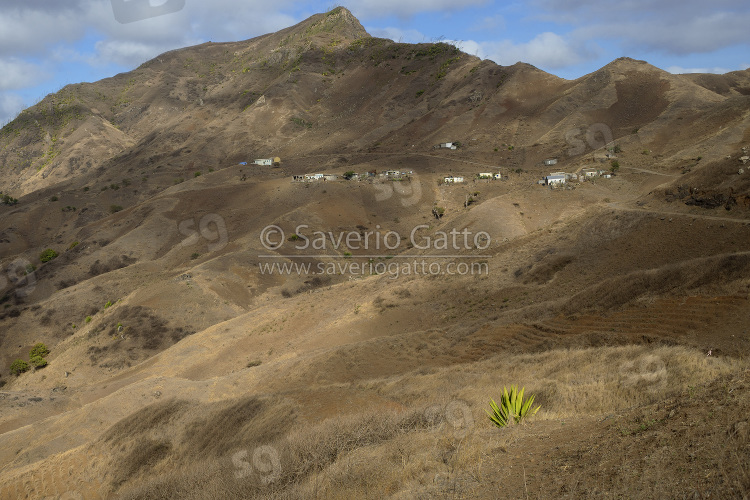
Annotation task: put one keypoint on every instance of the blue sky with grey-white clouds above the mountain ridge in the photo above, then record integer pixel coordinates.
(46, 45)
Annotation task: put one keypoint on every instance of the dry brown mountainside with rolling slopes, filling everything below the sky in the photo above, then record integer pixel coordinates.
(180, 368)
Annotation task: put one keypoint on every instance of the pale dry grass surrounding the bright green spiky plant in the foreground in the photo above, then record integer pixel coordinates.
(434, 449)
